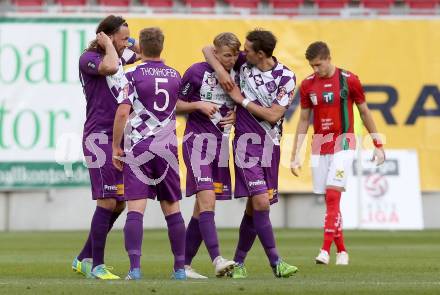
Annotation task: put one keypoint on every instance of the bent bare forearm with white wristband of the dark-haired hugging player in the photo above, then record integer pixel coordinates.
(271, 115)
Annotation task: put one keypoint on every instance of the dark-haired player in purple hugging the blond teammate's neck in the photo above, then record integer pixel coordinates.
(266, 92)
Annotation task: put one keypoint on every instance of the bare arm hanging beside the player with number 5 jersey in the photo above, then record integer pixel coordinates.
(118, 132)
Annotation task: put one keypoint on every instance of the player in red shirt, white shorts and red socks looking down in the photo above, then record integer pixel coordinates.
(330, 93)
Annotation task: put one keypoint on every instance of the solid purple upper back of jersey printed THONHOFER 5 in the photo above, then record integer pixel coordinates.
(156, 87)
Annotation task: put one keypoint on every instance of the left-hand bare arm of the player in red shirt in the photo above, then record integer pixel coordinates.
(301, 133)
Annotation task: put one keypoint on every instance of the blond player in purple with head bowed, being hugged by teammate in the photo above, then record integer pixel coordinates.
(206, 149)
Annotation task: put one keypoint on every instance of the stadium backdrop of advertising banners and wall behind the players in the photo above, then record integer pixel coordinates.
(391, 48)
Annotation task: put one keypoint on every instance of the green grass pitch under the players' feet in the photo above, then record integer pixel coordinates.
(381, 263)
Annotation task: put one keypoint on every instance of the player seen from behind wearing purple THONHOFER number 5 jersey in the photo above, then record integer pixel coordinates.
(151, 167)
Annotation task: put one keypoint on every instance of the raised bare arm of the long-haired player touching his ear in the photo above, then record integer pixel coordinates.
(110, 62)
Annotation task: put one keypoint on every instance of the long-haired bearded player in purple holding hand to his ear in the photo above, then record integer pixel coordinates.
(102, 77)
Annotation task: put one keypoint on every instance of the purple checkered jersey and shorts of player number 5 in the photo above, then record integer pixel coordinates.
(153, 168)
